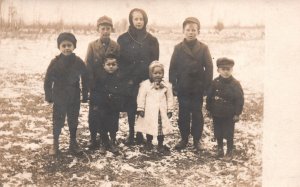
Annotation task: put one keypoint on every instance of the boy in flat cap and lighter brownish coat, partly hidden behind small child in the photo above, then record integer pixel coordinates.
(96, 54)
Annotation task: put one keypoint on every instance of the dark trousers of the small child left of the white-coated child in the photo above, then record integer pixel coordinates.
(108, 122)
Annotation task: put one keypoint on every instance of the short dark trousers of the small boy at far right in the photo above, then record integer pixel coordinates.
(224, 129)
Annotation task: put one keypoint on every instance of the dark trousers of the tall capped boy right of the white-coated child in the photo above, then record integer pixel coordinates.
(190, 108)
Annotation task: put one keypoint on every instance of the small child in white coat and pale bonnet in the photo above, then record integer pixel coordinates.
(155, 106)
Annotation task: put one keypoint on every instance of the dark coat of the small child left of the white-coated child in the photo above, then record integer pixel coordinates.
(108, 92)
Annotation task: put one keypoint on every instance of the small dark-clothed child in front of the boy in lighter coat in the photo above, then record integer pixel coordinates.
(108, 102)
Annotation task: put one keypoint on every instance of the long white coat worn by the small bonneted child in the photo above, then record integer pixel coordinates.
(154, 101)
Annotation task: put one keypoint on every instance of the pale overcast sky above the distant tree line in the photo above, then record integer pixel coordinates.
(162, 12)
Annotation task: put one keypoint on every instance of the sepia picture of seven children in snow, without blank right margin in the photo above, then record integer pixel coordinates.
(134, 93)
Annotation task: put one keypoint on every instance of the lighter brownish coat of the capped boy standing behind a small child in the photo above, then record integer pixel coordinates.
(95, 57)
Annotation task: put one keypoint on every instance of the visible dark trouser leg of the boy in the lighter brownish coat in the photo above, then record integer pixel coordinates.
(92, 120)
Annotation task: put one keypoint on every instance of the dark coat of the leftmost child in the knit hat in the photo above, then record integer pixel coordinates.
(61, 83)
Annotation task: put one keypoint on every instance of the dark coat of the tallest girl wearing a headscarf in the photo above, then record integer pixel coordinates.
(136, 54)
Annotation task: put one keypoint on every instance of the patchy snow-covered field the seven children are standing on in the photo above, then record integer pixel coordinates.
(25, 126)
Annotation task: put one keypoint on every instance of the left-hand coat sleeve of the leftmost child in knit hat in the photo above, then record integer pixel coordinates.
(48, 82)
